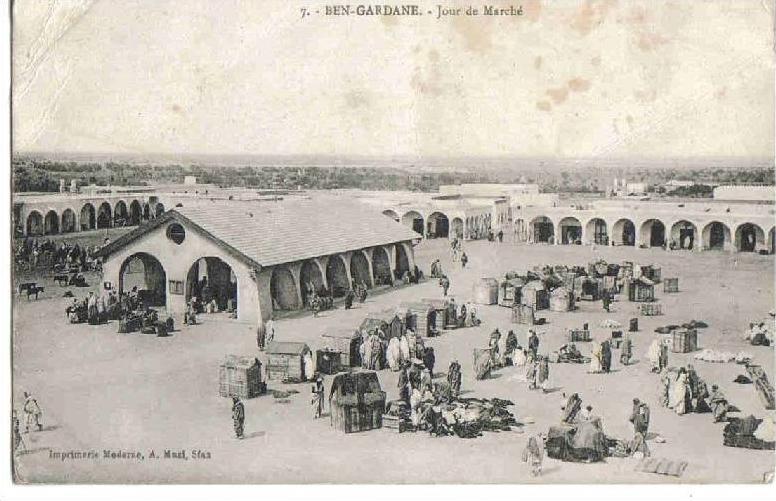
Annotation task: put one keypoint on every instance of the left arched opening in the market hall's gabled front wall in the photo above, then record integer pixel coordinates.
(145, 272)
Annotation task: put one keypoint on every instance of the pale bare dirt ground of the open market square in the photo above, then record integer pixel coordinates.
(100, 390)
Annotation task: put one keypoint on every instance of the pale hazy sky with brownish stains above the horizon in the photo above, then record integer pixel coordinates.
(567, 79)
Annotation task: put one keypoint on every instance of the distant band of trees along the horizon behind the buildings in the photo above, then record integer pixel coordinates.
(30, 174)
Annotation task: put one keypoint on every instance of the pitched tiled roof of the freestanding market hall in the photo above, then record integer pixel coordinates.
(271, 233)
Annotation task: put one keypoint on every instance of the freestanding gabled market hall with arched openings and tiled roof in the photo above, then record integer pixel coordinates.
(264, 256)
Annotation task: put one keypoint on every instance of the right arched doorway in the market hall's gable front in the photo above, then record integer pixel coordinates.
(212, 280)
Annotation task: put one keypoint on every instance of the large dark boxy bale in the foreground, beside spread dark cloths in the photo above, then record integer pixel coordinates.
(357, 402)
